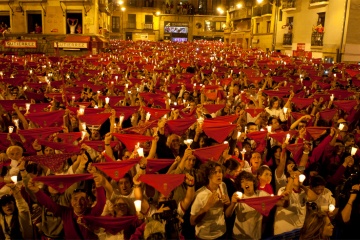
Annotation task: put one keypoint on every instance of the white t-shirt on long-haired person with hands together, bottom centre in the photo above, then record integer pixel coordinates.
(213, 224)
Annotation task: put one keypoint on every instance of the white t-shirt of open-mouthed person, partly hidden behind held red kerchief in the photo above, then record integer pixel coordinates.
(248, 221)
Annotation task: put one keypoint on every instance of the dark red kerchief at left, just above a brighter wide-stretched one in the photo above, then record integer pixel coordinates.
(53, 162)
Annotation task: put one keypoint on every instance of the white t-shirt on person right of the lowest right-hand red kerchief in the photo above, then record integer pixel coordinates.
(292, 217)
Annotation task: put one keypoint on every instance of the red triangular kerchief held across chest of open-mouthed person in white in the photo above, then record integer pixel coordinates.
(261, 204)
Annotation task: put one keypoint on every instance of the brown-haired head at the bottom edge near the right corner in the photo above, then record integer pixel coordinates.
(317, 225)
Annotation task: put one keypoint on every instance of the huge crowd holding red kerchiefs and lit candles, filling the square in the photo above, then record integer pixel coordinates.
(156, 140)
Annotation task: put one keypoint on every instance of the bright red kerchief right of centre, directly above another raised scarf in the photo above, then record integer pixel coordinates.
(218, 130)
